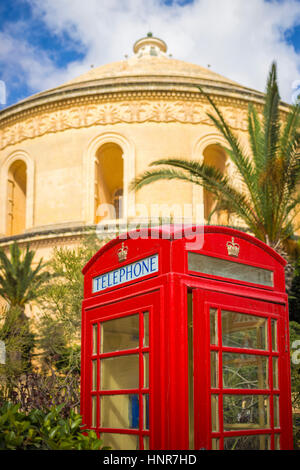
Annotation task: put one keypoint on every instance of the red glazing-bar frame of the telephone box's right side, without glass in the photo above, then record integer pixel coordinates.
(204, 301)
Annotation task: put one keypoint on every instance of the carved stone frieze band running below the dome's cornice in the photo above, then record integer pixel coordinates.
(138, 111)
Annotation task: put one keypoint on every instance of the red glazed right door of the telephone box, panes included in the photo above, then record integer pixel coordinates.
(241, 373)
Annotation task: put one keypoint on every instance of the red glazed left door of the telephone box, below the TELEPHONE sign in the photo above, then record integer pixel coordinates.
(119, 384)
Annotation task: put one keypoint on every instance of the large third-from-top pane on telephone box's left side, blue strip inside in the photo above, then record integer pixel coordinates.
(120, 411)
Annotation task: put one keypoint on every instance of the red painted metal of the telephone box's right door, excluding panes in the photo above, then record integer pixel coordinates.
(204, 300)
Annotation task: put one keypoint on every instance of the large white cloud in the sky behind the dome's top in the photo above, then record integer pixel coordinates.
(239, 39)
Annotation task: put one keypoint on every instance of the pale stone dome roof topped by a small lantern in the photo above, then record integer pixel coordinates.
(149, 68)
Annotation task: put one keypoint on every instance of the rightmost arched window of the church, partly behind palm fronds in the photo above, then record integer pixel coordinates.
(215, 156)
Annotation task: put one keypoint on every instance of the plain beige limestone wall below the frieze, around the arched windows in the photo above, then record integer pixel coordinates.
(61, 160)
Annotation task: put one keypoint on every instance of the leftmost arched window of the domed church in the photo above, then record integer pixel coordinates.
(16, 198)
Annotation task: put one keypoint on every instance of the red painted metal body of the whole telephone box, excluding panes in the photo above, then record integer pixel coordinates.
(164, 293)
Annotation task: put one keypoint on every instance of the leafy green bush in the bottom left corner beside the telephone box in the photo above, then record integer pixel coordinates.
(44, 430)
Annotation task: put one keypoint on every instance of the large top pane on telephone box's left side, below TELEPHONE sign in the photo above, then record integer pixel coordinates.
(119, 334)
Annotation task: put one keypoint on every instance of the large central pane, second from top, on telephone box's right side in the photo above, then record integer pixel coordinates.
(245, 371)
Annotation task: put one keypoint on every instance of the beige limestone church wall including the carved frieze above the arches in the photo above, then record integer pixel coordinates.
(60, 163)
